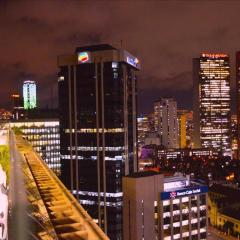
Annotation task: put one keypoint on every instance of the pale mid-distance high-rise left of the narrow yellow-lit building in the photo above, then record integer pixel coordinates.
(165, 121)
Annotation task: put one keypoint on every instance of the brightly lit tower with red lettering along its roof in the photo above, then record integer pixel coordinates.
(212, 102)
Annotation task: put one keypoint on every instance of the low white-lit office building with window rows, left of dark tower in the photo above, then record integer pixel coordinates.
(43, 134)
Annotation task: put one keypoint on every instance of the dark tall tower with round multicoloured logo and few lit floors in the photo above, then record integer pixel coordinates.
(98, 135)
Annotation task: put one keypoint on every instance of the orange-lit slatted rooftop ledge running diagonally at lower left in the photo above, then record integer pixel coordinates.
(68, 219)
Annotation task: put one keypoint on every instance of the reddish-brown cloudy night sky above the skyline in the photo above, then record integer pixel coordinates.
(164, 35)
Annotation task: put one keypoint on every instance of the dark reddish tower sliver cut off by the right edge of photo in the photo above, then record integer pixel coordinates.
(238, 98)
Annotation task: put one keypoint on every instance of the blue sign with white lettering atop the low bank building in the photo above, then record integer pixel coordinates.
(184, 192)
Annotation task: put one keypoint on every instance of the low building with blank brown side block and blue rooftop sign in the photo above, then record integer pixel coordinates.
(158, 207)
